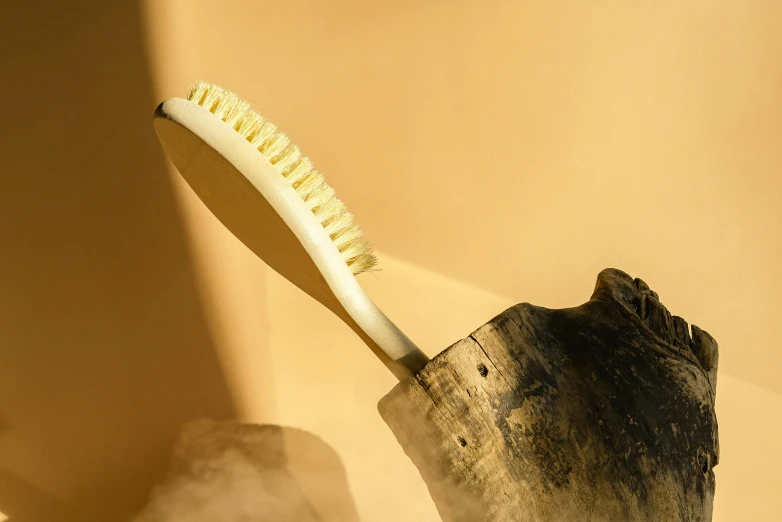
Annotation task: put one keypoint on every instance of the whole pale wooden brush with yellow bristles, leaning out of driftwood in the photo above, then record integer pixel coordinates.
(271, 198)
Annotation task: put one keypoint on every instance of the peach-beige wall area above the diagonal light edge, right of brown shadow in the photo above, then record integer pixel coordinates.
(564, 137)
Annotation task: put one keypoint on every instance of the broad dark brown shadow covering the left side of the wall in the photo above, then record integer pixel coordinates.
(104, 351)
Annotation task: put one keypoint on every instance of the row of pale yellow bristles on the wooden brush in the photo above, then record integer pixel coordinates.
(297, 169)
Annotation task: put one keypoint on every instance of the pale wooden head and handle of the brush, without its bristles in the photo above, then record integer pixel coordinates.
(258, 205)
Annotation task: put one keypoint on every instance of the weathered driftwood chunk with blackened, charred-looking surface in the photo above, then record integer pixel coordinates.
(602, 412)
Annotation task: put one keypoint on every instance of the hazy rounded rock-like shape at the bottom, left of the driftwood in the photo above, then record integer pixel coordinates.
(232, 471)
